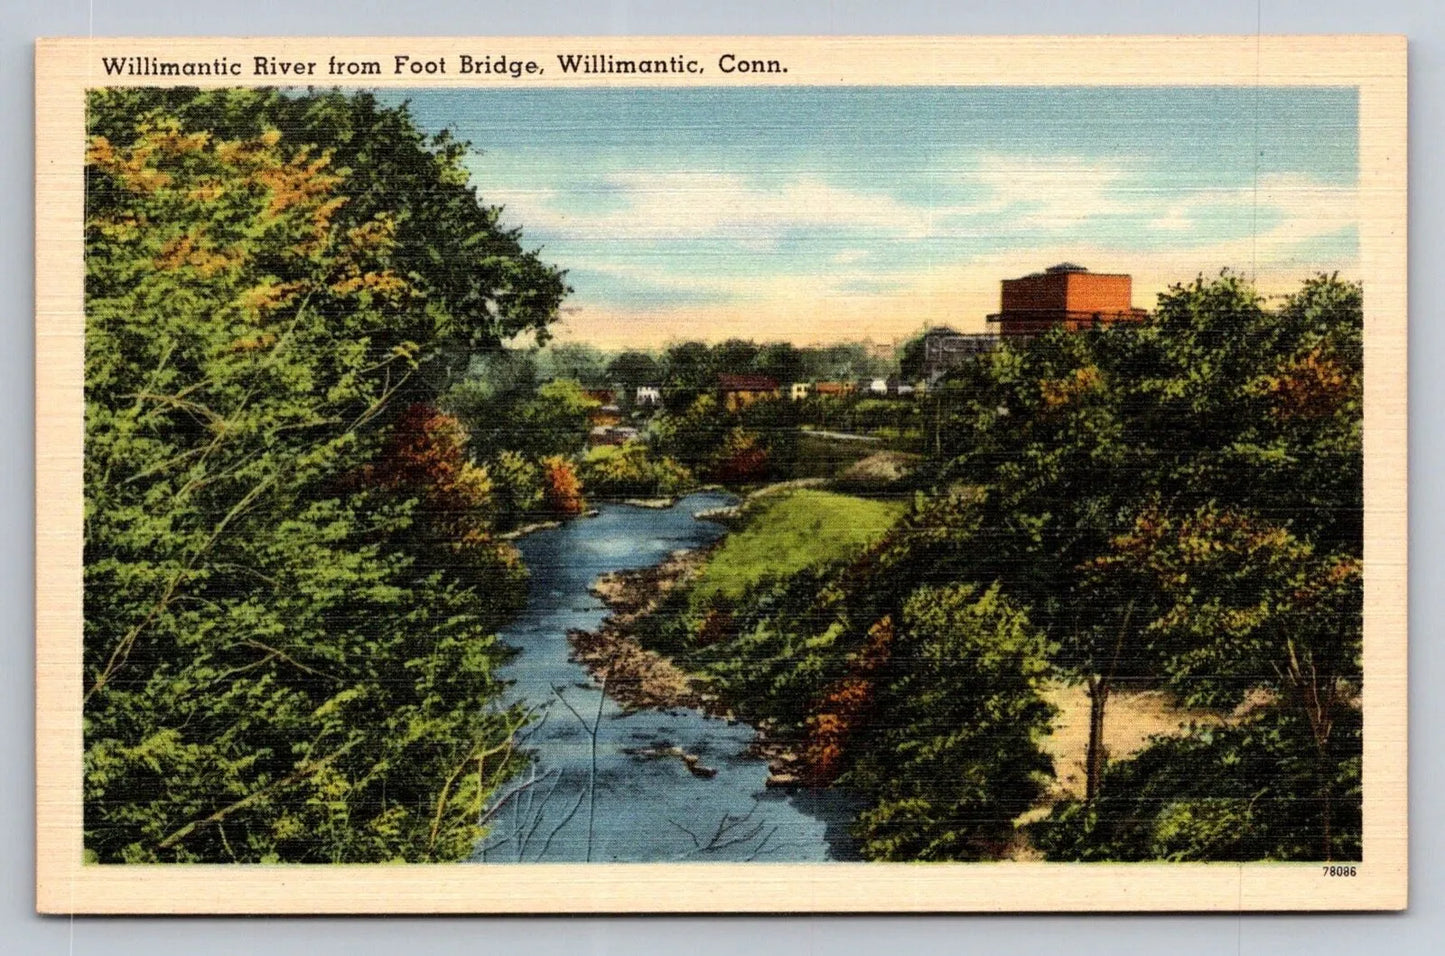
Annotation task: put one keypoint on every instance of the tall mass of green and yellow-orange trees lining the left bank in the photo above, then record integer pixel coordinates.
(293, 573)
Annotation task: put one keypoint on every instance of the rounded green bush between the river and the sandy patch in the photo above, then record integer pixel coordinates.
(953, 756)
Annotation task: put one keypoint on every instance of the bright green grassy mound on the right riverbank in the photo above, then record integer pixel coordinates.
(791, 531)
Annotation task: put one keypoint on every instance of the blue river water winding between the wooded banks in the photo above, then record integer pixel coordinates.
(622, 795)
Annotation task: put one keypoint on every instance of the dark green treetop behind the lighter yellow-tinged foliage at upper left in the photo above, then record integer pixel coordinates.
(469, 277)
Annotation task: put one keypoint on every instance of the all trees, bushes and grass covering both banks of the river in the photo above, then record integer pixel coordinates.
(322, 394)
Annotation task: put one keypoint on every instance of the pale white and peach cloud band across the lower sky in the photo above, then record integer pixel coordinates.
(1032, 213)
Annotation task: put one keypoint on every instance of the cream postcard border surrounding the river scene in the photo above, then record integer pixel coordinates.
(1376, 66)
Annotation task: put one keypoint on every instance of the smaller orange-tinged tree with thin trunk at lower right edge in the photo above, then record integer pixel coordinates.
(1249, 607)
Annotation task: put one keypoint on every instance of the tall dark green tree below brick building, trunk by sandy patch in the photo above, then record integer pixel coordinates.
(1216, 402)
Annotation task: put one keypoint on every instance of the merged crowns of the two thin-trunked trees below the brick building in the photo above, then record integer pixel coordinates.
(1233, 424)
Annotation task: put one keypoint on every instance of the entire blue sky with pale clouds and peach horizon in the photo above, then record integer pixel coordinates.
(816, 214)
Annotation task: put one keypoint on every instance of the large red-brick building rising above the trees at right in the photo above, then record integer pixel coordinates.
(1069, 297)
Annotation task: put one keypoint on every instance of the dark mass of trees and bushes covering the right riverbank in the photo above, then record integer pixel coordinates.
(1173, 506)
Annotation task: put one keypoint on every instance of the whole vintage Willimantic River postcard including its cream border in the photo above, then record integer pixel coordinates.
(722, 474)
